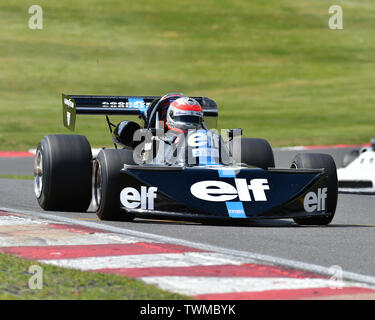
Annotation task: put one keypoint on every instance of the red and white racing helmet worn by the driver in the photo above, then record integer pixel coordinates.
(183, 114)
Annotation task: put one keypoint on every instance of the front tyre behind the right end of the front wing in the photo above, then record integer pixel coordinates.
(318, 161)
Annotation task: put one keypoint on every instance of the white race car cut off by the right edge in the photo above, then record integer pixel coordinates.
(358, 173)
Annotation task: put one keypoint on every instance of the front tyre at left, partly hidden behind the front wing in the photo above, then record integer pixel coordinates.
(106, 184)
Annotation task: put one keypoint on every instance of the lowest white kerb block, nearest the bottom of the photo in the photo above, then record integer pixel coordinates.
(213, 285)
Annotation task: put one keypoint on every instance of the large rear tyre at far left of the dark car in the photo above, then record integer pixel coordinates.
(62, 173)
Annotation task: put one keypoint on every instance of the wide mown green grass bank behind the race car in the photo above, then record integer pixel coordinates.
(274, 67)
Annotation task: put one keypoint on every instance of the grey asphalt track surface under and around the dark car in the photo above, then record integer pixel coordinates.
(348, 242)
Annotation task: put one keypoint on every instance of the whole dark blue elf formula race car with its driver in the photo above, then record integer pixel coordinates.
(172, 163)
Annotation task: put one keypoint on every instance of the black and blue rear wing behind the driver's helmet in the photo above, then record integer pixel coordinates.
(123, 105)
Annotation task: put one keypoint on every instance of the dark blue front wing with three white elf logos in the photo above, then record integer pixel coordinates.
(223, 192)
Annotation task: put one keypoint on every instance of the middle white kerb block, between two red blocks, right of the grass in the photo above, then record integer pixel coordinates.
(186, 259)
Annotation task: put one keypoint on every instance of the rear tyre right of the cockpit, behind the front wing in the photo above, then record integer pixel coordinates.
(255, 152)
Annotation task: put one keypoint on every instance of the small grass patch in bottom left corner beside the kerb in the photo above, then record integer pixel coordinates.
(68, 284)
